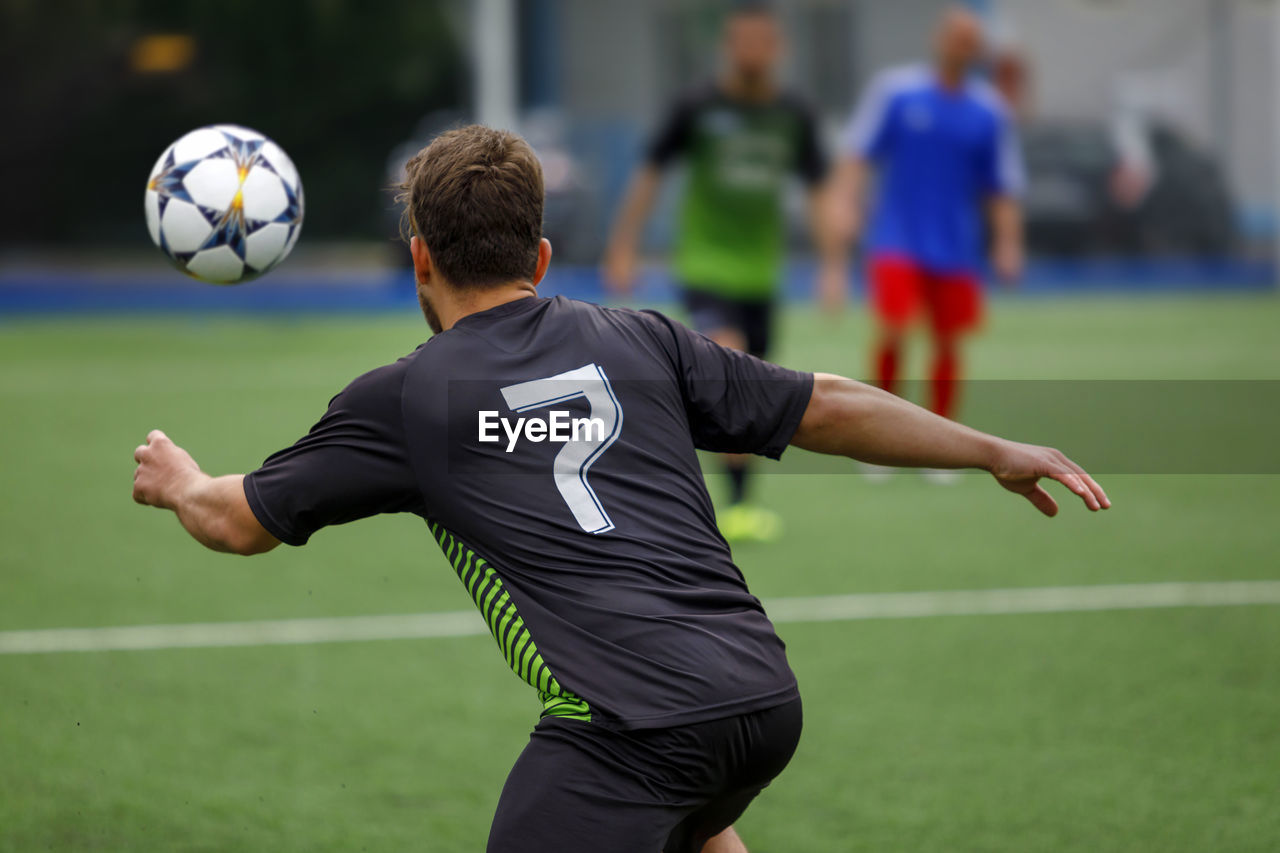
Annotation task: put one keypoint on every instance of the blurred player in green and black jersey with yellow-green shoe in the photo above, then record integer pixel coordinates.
(743, 139)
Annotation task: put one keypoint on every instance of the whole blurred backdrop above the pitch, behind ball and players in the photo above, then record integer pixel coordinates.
(1150, 126)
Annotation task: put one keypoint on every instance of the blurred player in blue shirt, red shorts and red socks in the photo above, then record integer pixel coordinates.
(948, 158)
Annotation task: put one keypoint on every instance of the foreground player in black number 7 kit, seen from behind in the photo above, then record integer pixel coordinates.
(550, 446)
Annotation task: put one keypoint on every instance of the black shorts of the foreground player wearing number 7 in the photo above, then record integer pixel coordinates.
(582, 787)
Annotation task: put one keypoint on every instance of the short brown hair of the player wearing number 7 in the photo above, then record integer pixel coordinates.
(476, 198)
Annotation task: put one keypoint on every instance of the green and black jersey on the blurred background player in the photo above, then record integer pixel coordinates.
(740, 156)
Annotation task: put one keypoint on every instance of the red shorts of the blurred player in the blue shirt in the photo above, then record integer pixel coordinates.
(900, 290)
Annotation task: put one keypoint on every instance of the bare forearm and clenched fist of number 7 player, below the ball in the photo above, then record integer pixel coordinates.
(213, 509)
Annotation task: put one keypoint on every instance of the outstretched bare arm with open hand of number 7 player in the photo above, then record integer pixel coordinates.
(847, 418)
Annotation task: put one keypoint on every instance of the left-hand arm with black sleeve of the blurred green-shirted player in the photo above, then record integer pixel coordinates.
(621, 252)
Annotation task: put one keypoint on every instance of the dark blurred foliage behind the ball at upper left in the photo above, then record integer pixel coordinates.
(97, 89)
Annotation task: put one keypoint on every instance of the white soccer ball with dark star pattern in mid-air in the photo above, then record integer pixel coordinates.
(225, 204)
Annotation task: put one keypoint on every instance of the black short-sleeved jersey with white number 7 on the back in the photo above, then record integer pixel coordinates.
(551, 445)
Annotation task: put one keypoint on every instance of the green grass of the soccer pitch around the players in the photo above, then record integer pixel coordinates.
(1126, 731)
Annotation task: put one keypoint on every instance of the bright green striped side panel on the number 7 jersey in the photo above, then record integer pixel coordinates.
(518, 645)
